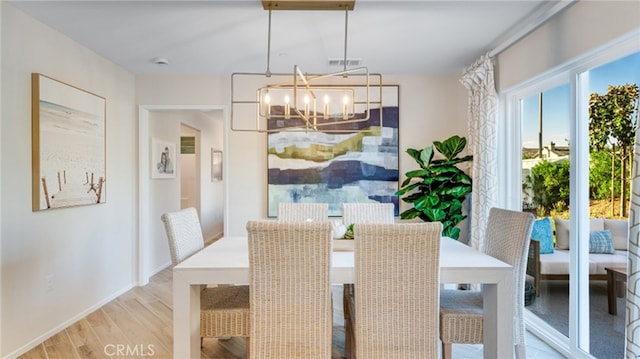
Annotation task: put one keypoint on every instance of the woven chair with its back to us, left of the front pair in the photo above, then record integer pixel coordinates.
(289, 276)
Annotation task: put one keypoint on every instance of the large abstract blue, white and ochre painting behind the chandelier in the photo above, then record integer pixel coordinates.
(334, 167)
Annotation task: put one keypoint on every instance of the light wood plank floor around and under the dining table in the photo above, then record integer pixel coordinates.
(142, 320)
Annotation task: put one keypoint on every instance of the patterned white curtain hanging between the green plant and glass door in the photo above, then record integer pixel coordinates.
(482, 123)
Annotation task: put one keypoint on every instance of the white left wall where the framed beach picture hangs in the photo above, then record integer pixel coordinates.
(89, 249)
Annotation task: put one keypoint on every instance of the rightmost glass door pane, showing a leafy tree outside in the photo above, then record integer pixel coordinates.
(610, 168)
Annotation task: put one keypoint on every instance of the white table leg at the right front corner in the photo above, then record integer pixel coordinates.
(498, 318)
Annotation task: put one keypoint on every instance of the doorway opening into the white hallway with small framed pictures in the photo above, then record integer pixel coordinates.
(157, 196)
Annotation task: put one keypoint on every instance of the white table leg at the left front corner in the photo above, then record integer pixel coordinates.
(186, 318)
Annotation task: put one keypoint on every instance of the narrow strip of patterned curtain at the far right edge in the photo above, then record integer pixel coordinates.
(633, 269)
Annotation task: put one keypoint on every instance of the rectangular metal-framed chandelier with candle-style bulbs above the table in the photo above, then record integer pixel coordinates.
(345, 105)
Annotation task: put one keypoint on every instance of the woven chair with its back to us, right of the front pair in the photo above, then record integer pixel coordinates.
(394, 308)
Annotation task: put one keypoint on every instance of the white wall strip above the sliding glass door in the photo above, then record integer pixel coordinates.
(577, 30)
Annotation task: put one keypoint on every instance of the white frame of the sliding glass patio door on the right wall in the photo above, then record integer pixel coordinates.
(575, 73)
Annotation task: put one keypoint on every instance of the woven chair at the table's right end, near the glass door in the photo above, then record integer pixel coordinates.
(461, 315)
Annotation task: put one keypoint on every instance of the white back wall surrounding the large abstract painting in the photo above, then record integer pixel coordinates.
(431, 108)
